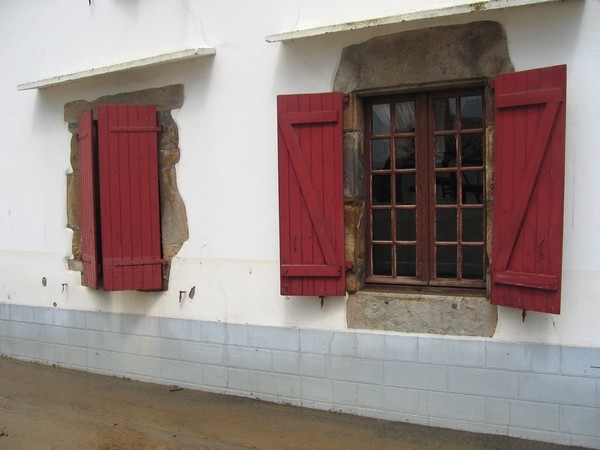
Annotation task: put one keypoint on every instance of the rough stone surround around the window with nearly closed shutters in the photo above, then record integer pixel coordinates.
(174, 228)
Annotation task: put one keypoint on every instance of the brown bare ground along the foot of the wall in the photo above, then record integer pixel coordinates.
(45, 407)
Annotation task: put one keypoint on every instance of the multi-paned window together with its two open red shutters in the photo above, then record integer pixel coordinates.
(426, 199)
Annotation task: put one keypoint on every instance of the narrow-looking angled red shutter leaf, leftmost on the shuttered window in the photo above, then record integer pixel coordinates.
(88, 199)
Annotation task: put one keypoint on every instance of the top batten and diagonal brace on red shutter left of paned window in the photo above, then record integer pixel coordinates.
(286, 120)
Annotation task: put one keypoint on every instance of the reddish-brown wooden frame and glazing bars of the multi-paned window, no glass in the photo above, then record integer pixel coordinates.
(425, 172)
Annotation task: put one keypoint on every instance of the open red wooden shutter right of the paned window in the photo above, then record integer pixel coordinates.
(529, 160)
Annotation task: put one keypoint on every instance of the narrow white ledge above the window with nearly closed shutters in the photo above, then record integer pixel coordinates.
(119, 67)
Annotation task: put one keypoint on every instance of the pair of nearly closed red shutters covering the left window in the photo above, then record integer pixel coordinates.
(121, 243)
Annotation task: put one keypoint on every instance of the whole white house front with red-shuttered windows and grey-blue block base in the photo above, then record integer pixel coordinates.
(411, 338)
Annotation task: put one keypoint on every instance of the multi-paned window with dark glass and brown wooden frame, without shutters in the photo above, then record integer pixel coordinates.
(425, 178)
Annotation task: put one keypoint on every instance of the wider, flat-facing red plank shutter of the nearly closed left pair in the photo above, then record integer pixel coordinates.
(129, 197)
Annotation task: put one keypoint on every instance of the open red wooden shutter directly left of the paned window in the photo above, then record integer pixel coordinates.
(311, 198)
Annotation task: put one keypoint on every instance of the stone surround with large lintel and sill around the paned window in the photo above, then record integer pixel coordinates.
(447, 57)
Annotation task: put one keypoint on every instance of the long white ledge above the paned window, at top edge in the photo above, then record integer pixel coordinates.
(408, 16)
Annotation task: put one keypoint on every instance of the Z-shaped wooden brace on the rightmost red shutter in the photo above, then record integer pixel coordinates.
(553, 99)
